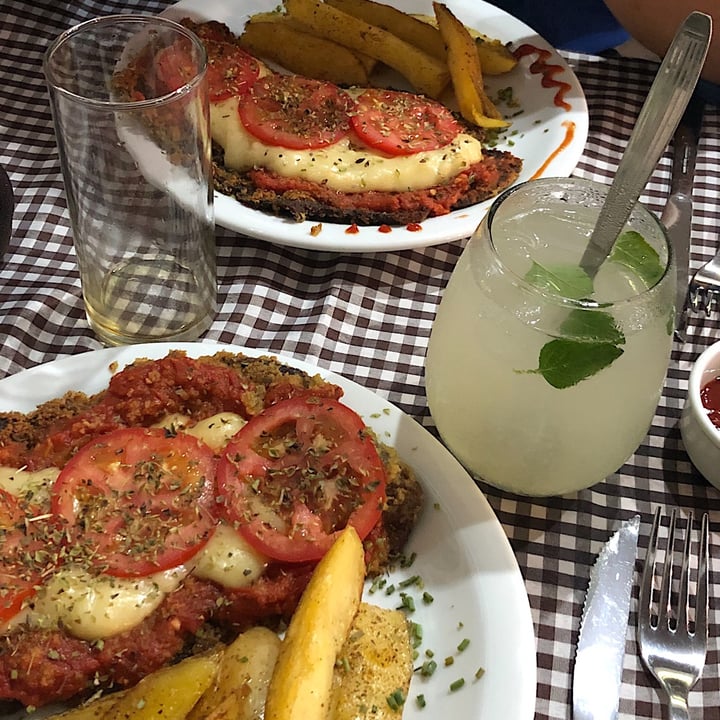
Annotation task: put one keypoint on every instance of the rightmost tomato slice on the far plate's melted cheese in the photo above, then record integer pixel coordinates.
(400, 123)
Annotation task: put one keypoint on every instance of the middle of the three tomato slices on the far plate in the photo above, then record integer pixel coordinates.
(296, 112)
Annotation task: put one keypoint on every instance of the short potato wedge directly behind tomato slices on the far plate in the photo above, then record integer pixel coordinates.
(302, 53)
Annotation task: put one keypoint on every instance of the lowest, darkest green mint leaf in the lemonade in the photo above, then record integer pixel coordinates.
(564, 363)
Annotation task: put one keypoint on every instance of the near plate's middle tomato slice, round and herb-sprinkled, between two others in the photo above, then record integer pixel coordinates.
(137, 500)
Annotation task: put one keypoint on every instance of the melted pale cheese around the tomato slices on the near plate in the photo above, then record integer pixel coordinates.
(93, 607)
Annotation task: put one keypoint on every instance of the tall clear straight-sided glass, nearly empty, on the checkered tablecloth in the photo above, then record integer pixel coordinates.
(129, 100)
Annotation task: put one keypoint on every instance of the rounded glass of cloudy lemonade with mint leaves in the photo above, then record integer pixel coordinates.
(543, 374)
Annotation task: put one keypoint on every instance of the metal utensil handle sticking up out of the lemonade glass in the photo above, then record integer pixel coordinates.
(669, 95)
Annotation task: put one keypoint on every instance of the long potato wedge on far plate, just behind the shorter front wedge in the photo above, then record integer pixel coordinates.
(424, 72)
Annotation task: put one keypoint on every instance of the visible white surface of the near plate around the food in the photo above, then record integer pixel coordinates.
(463, 555)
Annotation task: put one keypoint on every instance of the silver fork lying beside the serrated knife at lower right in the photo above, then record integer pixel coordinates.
(673, 645)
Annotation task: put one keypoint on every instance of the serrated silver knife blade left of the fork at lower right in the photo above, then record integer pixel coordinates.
(601, 647)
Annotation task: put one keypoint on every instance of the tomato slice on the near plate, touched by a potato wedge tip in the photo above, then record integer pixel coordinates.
(297, 474)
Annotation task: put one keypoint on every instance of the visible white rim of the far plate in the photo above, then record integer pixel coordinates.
(286, 232)
